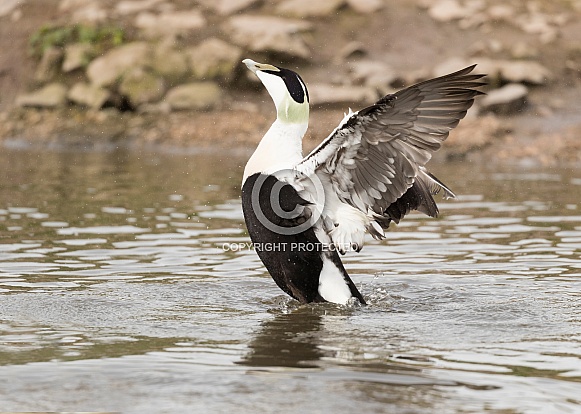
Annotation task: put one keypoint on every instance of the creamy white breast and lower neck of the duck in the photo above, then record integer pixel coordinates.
(281, 148)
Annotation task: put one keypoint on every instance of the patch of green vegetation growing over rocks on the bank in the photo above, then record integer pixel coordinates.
(101, 37)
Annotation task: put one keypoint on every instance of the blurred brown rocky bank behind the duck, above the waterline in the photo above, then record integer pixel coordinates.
(183, 85)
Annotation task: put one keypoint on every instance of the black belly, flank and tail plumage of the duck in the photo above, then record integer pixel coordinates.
(293, 260)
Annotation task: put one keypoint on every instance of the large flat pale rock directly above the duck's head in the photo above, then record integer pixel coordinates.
(269, 34)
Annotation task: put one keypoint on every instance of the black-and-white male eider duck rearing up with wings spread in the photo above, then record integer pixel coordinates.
(302, 211)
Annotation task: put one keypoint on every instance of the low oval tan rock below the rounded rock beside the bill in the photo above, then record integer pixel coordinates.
(194, 96)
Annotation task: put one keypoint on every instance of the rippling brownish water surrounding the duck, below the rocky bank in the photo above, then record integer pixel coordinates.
(126, 285)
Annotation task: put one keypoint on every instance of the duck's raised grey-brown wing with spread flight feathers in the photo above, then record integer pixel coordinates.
(375, 158)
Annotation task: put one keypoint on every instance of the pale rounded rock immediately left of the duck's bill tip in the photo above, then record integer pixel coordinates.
(214, 59)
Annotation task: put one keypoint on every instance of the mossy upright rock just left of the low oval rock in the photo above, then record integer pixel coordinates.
(140, 86)
